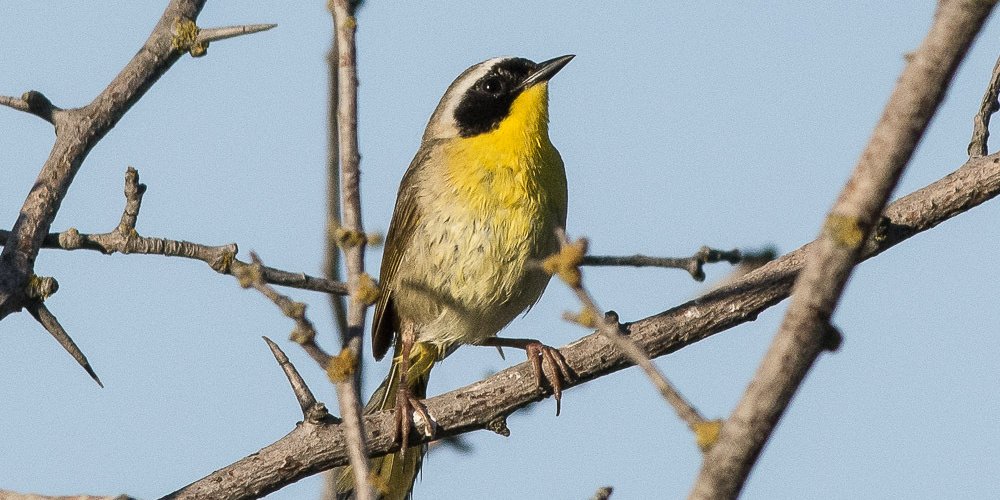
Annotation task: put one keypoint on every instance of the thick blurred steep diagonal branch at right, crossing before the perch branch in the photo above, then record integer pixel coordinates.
(803, 334)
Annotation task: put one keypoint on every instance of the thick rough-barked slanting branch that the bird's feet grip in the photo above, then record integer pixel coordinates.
(309, 449)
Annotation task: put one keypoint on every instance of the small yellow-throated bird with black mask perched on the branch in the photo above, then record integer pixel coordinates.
(477, 209)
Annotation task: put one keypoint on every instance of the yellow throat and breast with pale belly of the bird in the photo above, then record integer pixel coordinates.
(497, 202)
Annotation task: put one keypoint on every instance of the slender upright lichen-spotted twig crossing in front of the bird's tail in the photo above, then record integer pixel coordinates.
(348, 392)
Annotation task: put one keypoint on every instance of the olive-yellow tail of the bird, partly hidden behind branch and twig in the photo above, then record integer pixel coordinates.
(392, 475)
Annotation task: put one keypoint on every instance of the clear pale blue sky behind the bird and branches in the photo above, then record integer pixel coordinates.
(681, 124)
